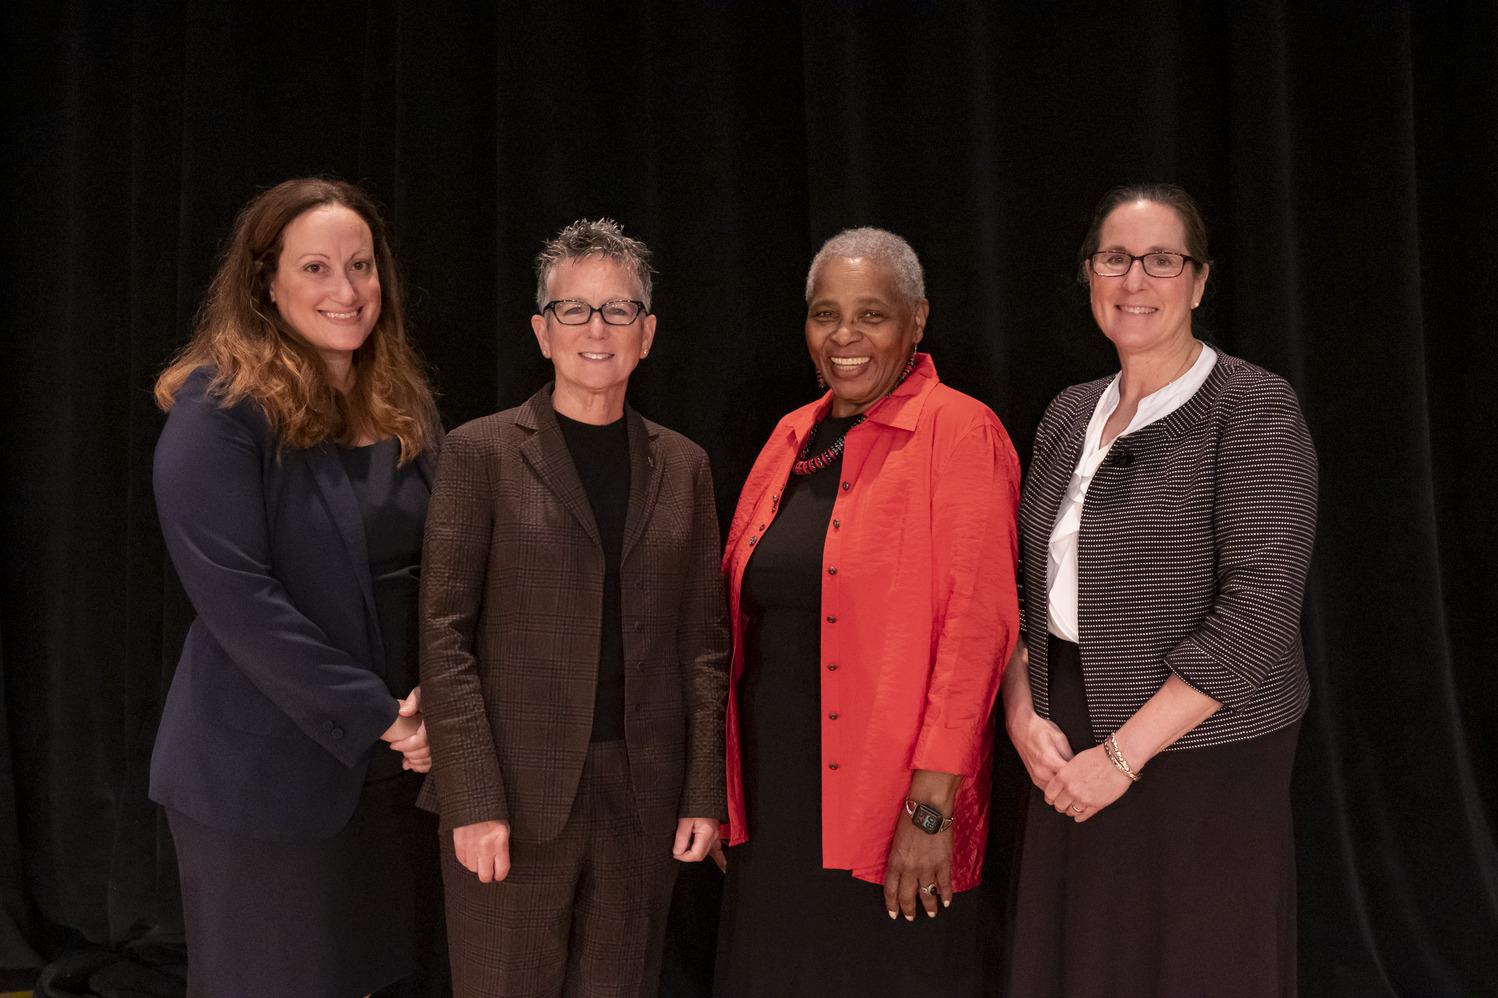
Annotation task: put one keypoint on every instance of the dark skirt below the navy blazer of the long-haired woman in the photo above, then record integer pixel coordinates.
(329, 919)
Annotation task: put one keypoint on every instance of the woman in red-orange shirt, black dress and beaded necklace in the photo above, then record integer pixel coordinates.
(871, 575)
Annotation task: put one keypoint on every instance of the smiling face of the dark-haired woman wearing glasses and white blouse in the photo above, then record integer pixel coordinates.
(1138, 312)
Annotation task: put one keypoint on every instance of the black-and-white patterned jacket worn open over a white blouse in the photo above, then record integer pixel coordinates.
(1196, 539)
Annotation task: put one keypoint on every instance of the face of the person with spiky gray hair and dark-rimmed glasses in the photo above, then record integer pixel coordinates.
(594, 360)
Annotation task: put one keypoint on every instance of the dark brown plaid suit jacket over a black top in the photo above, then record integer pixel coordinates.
(512, 596)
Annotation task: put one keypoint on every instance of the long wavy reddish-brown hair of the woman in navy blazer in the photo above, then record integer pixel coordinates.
(257, 354)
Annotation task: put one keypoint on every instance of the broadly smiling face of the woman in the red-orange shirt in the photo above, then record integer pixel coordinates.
(861, 332)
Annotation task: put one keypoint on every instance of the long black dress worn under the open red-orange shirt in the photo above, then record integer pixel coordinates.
(790, 927)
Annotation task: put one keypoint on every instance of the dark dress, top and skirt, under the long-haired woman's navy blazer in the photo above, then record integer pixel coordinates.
(360, 912)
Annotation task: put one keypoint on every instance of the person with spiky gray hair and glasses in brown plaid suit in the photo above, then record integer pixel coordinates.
(574, 653)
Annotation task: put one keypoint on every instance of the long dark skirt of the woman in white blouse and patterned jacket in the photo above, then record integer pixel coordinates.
(1184, 886)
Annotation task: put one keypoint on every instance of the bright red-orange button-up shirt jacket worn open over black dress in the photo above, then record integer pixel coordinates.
(919, 617)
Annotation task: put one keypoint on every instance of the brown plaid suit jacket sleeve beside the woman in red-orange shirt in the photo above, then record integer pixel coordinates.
(703, 651)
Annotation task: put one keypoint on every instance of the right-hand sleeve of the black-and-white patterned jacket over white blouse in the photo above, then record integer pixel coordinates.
(1265, 524)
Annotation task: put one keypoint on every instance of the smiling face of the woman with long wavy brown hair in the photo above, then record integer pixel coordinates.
(326, 284)
